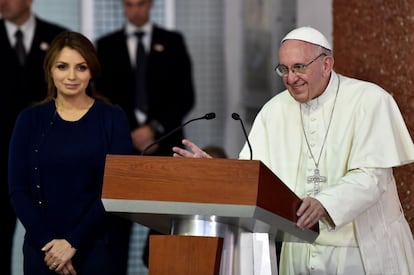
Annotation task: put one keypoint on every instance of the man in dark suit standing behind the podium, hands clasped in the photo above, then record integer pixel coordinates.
(168, 83)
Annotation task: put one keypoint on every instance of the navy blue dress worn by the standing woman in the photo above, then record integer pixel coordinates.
(56, 172)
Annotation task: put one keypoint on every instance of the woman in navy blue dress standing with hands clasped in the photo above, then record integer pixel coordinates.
(56, 167)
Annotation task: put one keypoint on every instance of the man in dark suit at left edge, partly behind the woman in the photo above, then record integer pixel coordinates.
(21, 85)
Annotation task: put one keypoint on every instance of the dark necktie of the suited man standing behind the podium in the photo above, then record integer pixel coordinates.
(140, 68)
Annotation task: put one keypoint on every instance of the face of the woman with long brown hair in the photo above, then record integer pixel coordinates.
(70, 73)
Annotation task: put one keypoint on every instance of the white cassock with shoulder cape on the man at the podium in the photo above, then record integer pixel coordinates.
(366, 138)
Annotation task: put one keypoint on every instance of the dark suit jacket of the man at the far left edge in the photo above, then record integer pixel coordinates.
(22, 86)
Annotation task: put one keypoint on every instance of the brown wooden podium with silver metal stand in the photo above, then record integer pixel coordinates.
(206, 206)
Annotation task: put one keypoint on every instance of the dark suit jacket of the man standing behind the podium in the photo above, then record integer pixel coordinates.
(169, 80)
